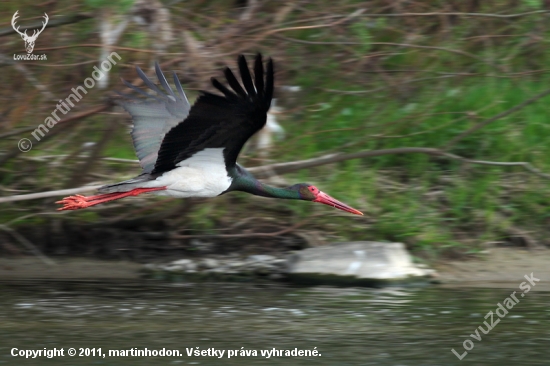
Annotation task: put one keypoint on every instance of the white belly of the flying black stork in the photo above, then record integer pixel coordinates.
(202, 175)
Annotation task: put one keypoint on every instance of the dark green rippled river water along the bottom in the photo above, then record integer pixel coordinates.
(349, 326)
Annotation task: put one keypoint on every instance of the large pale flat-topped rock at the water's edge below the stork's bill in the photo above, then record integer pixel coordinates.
(369, 263)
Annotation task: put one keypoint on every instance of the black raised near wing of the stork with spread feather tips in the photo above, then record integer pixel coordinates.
(216, 121)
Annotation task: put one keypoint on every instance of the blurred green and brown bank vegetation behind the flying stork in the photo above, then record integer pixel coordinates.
(351, 76)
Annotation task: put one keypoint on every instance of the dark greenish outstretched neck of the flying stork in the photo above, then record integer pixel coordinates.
(244, 181)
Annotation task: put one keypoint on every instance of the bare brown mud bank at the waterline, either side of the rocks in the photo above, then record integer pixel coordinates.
(496, 268)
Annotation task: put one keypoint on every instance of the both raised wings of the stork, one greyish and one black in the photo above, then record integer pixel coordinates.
(168, 131)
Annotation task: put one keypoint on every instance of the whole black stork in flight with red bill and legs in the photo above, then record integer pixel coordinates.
(189, 151)
